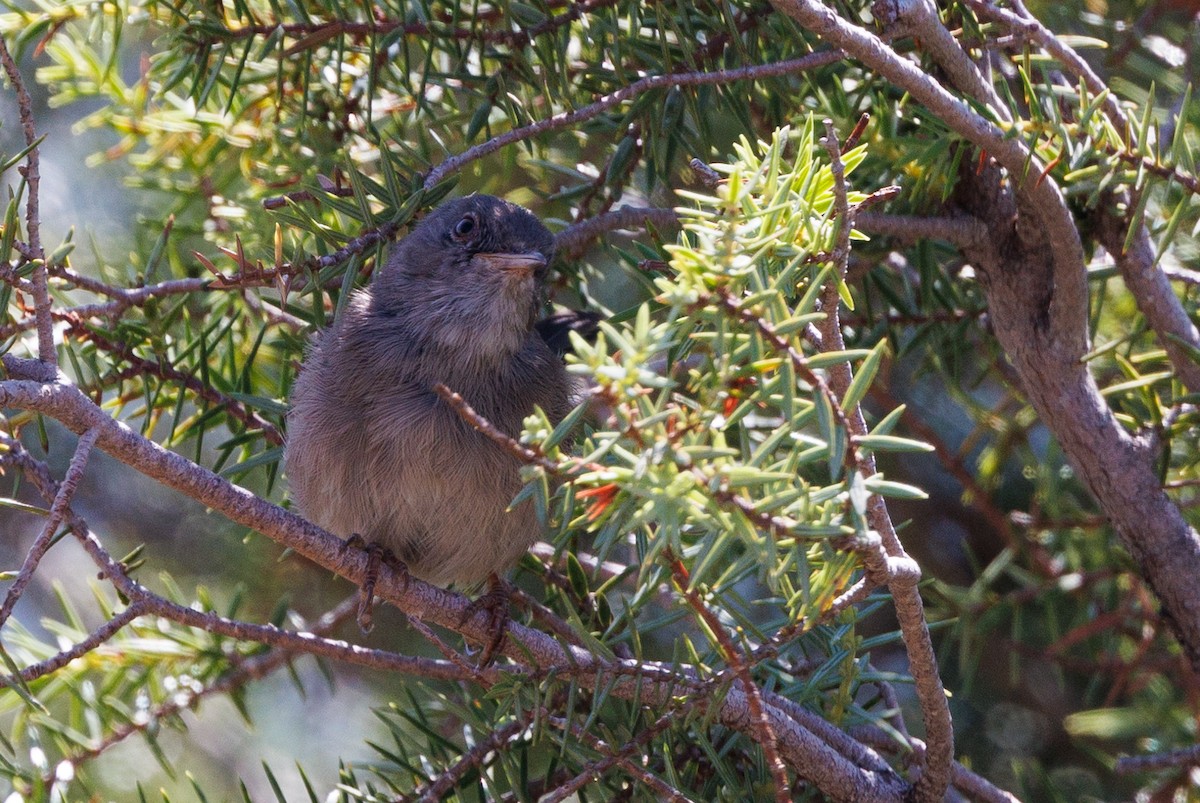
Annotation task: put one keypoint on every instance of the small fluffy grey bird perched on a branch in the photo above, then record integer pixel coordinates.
(373, 451)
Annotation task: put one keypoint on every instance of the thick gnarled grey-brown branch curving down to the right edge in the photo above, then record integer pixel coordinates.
(1033, 272)
